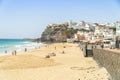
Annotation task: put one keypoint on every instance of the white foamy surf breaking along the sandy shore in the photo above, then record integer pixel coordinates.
(20, 47)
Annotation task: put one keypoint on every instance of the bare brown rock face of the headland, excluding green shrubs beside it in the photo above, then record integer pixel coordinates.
(54, 33)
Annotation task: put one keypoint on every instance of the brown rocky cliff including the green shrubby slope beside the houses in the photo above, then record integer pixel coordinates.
(57, 33)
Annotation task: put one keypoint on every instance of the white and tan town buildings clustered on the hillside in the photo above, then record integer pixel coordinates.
(92, 33)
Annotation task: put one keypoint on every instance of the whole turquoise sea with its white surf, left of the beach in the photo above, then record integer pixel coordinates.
(9, 45)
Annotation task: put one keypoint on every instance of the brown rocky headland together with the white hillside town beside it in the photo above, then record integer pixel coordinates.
(107, 33)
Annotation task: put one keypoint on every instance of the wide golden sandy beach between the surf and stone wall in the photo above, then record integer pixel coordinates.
(70, 65)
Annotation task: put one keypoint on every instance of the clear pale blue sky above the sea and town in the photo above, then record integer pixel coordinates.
(29, 18)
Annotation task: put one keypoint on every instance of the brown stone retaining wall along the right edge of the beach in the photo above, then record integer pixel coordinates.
(110, 60)
